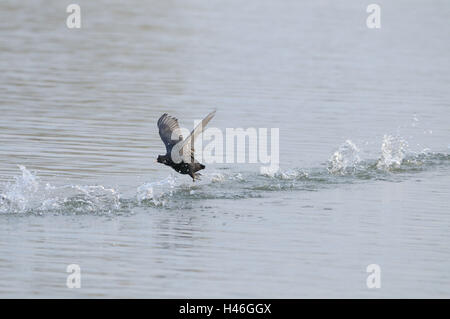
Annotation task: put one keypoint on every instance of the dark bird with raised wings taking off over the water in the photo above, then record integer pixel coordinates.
(180, 152)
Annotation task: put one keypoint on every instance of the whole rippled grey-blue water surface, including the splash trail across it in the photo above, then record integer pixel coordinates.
(78, 109)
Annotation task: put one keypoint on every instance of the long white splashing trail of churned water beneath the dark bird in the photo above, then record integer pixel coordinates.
(27, 194)
